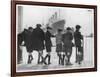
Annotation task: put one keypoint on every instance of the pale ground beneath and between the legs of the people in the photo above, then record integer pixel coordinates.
(88, 60)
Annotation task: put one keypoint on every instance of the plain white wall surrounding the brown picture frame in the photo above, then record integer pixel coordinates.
(5, 38)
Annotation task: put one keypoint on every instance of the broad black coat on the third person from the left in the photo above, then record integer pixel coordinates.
(38, 38)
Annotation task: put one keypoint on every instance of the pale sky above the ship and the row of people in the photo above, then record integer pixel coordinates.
(73, 16)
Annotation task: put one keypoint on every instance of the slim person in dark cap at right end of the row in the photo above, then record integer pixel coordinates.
(78, 42)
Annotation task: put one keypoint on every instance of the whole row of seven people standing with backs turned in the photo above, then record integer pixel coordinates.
(37, 39)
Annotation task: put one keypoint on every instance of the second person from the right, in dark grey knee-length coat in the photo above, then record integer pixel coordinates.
(67, 47)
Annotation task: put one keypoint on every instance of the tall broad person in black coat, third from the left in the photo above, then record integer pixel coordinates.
(38, 42)
